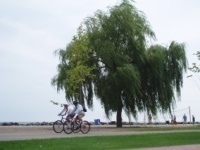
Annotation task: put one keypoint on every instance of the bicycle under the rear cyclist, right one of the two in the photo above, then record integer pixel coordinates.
(76, 126)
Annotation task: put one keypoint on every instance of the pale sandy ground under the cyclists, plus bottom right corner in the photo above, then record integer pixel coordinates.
(8, 133)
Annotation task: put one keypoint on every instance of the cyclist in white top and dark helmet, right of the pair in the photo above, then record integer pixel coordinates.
(78, 111)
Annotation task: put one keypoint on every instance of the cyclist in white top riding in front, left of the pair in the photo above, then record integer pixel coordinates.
(67, 110)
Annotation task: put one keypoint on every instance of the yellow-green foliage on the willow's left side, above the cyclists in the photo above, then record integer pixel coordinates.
(74, 70)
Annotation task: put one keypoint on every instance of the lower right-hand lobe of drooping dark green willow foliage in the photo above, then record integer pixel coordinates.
(161, 75)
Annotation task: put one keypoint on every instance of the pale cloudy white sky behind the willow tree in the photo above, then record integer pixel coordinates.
(30, 31)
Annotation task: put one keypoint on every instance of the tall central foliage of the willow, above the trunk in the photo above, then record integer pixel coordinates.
(119, 39)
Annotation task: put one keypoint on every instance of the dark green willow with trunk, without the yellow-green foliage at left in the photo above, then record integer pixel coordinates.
(133, 76)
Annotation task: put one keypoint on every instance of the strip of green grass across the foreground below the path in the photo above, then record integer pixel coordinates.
(105, 142)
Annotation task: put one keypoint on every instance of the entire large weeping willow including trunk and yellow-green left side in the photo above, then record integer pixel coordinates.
(113, 60)
